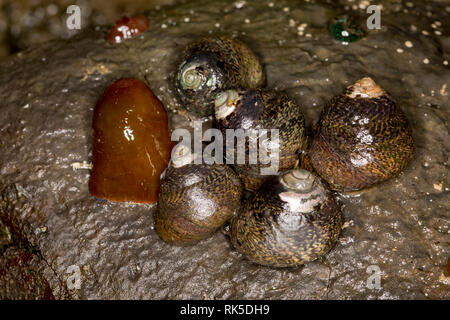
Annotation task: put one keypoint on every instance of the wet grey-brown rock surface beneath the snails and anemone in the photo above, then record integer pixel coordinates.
(47, 96)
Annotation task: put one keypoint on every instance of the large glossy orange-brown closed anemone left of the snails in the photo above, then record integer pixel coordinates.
(132, 145)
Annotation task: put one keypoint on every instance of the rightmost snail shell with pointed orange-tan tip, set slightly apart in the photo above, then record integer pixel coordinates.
(362, 138)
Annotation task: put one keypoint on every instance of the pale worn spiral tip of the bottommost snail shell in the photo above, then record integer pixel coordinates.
(303, 190)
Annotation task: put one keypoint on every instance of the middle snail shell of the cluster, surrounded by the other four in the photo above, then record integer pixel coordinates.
(256, 109)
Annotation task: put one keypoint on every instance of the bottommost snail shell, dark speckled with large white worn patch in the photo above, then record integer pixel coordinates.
(290, 220)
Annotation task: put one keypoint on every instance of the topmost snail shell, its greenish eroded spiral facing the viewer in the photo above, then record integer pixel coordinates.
(212, 65)
